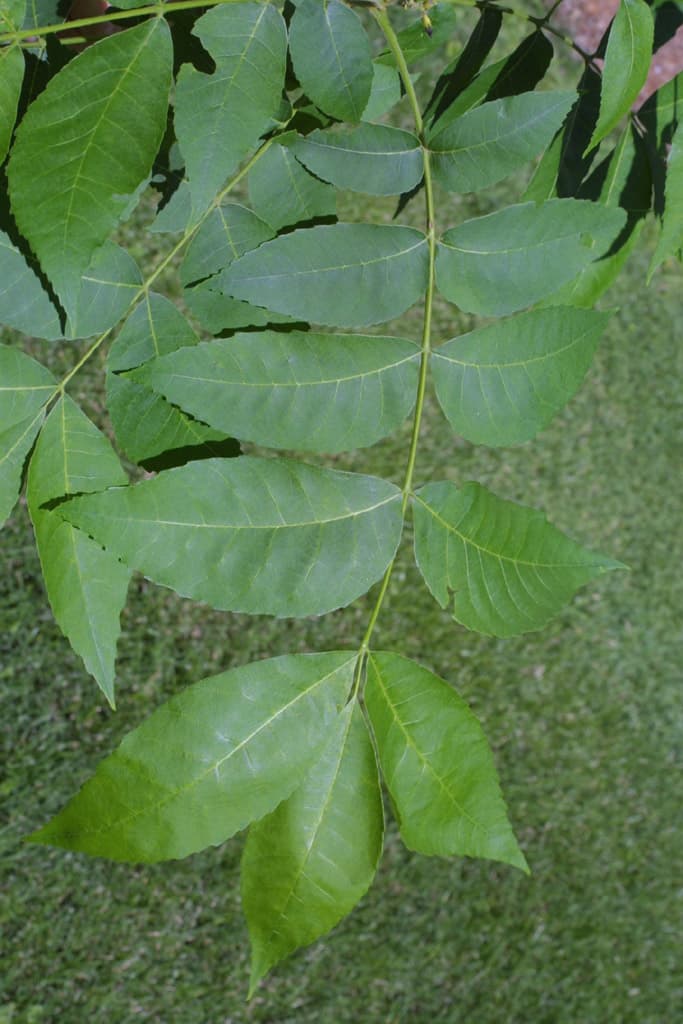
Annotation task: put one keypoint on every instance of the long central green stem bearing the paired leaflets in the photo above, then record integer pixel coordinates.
(395, 47)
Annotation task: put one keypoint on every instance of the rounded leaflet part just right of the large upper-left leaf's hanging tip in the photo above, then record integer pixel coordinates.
(107, 290)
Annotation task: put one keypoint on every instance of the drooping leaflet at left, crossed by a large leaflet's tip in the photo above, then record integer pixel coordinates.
(87, 586)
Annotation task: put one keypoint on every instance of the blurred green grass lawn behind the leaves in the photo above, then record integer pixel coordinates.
(585, 719)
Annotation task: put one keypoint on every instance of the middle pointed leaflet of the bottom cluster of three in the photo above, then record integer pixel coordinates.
(309, 864)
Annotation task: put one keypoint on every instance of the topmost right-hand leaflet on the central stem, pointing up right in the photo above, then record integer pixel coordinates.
(494, 140)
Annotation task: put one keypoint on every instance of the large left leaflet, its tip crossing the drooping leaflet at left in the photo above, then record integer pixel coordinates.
(262, 536)
